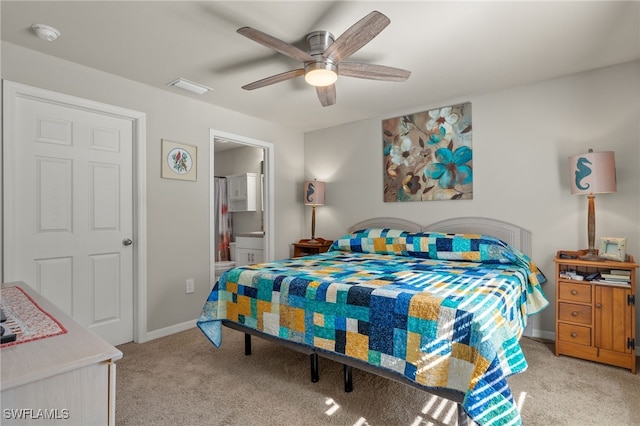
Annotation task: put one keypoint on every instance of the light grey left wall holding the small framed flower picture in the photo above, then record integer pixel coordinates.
(174, 256)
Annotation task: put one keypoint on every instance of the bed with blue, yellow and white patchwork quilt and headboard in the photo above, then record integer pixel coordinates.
(439, 307)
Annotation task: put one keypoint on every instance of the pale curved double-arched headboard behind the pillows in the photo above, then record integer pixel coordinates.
(512, 234)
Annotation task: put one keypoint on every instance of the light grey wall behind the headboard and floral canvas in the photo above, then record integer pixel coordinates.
(522, 139)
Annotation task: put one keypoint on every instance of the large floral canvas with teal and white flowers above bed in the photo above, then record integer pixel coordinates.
(428, 155)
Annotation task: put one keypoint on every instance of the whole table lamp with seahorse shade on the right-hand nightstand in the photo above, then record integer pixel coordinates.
(592, 173)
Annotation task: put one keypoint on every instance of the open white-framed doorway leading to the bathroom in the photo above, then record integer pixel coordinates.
(232, 155)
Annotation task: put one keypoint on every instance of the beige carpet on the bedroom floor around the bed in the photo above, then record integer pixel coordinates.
(184, 380)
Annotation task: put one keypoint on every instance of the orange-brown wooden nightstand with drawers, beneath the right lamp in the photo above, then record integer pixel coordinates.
(595, 319)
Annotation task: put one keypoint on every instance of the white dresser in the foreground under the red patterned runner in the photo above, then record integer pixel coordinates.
(59, 380)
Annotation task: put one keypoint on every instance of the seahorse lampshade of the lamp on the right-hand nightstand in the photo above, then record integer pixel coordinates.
(593, 173)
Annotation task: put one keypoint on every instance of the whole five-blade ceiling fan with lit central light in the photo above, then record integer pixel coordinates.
(323, 61)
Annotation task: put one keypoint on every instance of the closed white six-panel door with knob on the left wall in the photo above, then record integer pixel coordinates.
(68, 211)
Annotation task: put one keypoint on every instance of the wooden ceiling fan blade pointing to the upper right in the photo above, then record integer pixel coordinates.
(356, 36)
